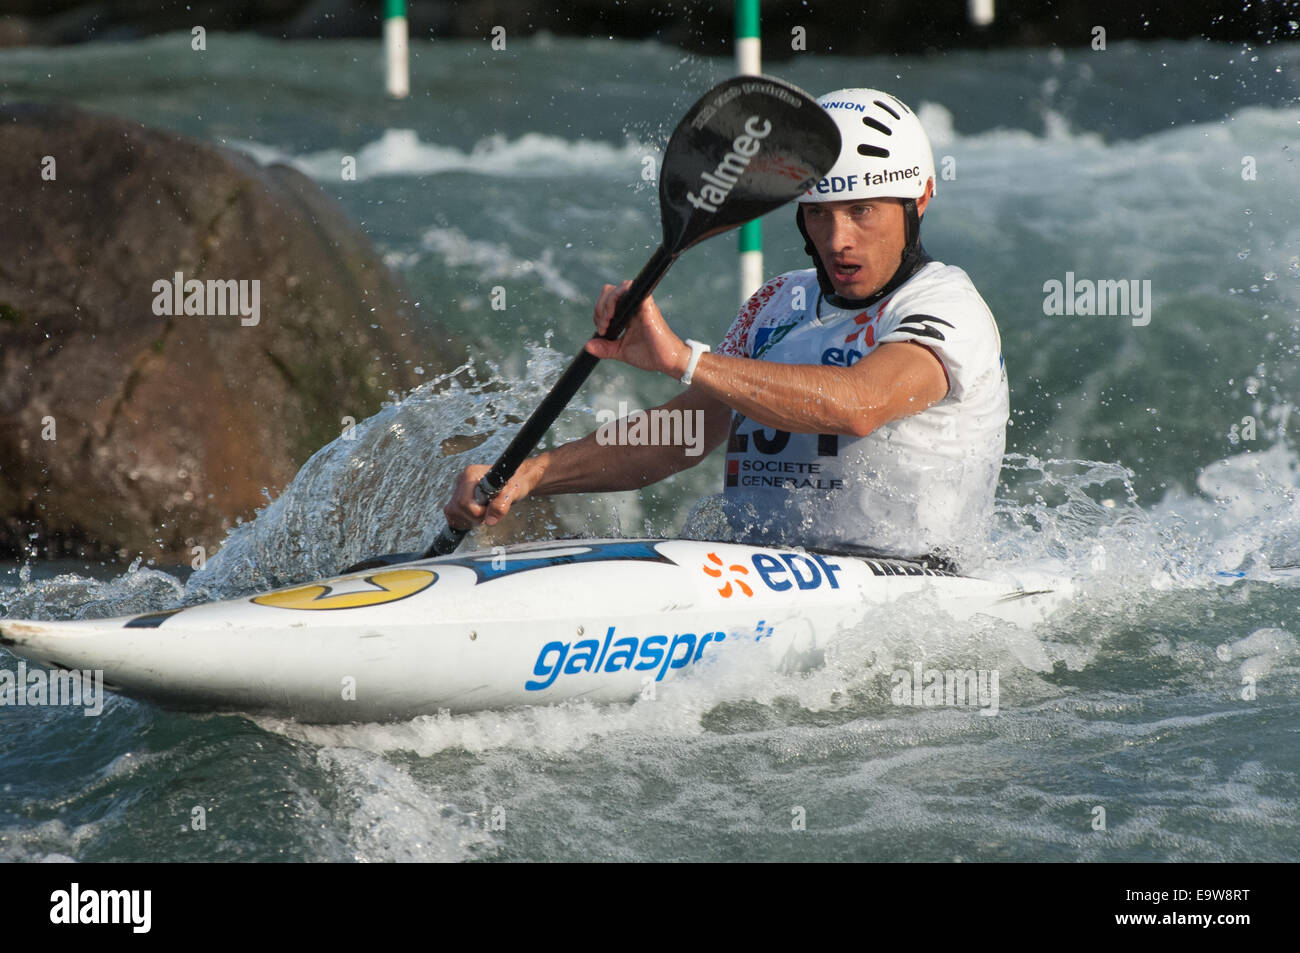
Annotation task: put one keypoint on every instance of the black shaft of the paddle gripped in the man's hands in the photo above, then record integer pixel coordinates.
(554, 404)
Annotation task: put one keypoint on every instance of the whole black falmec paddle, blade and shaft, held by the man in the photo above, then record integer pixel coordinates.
(751, 145)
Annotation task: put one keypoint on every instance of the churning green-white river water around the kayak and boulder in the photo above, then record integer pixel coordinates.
(1151, 461)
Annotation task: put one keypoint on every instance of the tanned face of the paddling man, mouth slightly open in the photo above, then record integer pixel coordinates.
(860, 241)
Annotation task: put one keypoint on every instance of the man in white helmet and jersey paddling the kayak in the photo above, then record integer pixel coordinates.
(864, 401)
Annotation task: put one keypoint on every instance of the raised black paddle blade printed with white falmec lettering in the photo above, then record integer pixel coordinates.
(749, 146)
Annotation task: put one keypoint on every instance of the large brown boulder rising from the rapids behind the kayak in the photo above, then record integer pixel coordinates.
(124, 431)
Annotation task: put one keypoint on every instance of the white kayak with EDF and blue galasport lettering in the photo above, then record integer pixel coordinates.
(527, 625)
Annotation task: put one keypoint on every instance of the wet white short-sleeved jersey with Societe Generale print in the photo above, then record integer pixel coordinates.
(916, 486)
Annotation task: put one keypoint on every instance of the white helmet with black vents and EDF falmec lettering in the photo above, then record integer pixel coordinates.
(885, 153)
